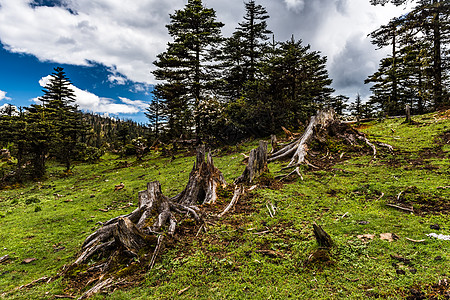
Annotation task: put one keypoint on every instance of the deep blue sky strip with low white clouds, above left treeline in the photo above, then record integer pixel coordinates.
(21, 79)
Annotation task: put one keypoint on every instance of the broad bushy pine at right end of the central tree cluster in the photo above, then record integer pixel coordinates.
(294, 83)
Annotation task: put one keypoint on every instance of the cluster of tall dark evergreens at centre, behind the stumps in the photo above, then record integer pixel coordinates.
(221, 89)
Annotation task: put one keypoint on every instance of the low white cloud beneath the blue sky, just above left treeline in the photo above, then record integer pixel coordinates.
(88, 101)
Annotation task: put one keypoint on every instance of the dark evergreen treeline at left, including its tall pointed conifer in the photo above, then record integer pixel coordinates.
(56, 129)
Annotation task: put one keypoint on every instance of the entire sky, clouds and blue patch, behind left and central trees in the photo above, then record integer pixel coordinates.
(107, 46)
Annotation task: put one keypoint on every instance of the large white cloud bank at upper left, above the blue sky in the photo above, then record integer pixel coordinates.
(110, 32)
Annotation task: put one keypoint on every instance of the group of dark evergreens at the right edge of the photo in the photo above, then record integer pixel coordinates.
(417, 71)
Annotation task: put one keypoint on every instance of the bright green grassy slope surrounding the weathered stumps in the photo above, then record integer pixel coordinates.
(249, 254)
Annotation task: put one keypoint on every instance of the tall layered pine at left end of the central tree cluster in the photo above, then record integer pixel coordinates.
(188, 67)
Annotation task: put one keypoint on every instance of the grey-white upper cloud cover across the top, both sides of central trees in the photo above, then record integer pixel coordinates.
(126, 37)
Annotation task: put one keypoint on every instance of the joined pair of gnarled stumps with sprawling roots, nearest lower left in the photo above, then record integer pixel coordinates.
(127, 237)
